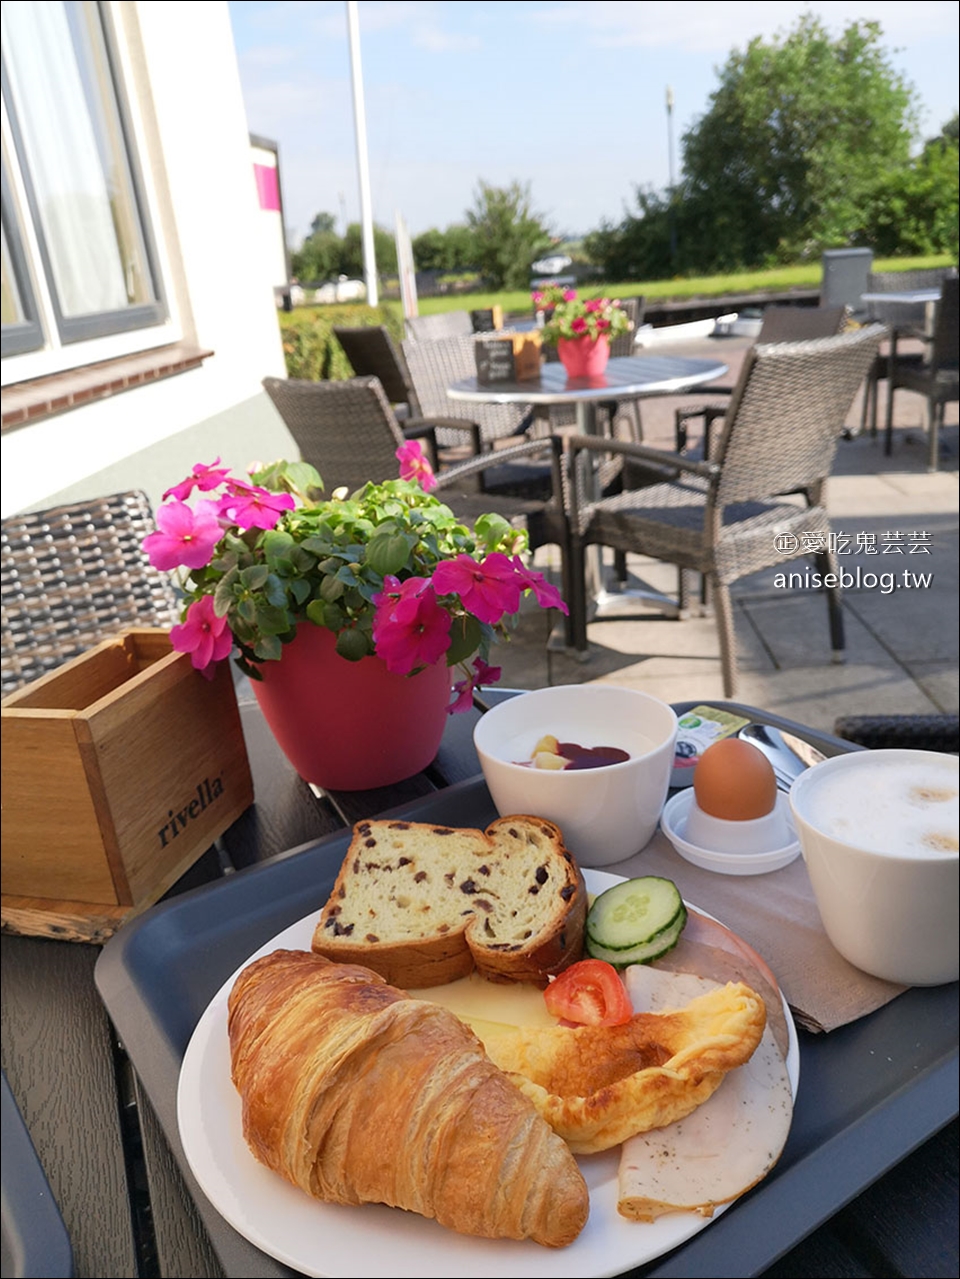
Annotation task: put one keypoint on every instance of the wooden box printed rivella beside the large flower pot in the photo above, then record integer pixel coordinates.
(120, 769)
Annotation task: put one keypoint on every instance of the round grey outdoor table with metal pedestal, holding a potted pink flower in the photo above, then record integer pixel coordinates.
(628, 378)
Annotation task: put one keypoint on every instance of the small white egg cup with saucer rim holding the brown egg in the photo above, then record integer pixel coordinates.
(728, 860)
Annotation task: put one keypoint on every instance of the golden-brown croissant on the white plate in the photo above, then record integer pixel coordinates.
(359, 1094)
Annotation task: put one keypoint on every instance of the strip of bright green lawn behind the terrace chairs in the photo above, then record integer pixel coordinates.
(805, 277)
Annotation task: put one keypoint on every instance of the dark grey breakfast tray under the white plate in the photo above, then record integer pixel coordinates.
(870, 1092)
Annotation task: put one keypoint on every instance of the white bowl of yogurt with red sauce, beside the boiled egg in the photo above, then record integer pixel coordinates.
(605, 814)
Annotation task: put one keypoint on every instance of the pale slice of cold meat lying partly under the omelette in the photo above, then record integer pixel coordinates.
(728, 1144)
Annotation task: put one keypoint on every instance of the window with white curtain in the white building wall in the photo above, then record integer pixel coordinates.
(77, 255)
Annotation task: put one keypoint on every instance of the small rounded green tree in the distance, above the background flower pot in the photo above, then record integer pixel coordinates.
(507, 233)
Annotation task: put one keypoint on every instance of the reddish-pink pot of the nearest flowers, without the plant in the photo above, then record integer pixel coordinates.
(351, 726)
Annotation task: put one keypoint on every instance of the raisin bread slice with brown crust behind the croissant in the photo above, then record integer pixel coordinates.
(426, 905)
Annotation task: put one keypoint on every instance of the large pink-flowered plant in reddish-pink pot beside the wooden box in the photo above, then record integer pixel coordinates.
(350, 613)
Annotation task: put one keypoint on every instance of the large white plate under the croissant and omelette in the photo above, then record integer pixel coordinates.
(328, 1240)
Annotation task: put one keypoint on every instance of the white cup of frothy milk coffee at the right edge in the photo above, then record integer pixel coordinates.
(879, 833)
